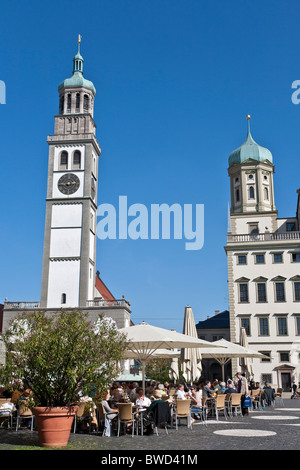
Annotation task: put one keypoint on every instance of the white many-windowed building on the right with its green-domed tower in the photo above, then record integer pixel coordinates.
(263, 254)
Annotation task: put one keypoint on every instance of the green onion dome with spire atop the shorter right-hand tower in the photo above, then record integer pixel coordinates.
(250, 149)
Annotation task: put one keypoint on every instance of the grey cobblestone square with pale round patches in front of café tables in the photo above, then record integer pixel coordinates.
(273, 428)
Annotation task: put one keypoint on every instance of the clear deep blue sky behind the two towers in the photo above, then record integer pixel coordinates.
(175, 80)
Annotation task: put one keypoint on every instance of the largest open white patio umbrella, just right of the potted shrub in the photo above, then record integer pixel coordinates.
(145, 339)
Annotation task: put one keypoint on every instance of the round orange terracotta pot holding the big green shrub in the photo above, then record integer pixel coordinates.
(54, 424)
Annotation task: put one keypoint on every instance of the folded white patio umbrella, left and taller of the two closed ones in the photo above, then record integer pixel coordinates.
(190, 357)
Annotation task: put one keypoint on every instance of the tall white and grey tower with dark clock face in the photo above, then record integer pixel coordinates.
(69, 257)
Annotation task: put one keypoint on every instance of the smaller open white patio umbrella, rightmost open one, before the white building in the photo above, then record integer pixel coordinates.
(224, 351)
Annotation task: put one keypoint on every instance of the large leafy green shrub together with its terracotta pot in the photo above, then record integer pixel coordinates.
(60, 357)
